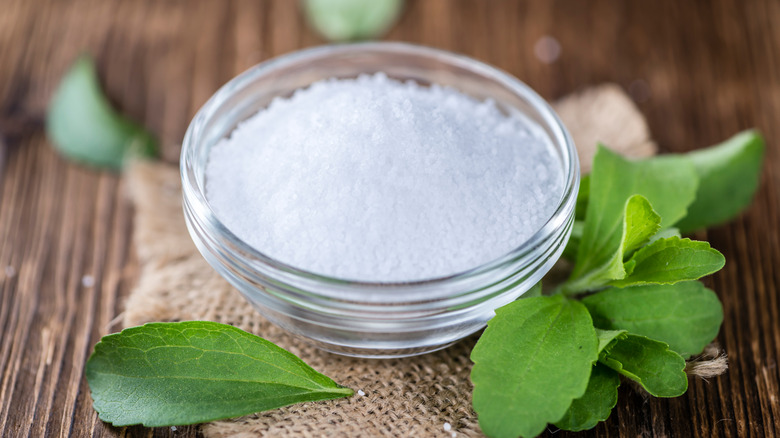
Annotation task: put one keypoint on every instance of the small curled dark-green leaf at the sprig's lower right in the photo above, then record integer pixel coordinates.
(659, 370)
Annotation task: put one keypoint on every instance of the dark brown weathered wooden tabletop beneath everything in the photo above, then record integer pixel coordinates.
(699, 70)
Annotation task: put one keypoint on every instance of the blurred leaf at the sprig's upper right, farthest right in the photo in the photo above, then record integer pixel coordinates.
(729, 174)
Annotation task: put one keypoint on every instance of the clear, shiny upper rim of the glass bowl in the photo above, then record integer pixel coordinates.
(194, 191)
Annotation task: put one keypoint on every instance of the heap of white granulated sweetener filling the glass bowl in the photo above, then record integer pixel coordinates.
(377, 180)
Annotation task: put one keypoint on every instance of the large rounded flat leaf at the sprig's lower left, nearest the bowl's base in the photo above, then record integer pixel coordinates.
(533, 359)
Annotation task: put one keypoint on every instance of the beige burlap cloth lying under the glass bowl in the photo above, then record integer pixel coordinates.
(411, 397)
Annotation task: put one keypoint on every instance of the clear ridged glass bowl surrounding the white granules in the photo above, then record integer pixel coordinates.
(365, 319)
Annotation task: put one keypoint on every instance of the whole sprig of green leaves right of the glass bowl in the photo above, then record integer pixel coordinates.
(634, 276)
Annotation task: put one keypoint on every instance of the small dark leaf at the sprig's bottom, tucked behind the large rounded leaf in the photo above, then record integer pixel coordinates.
(597, 403)
